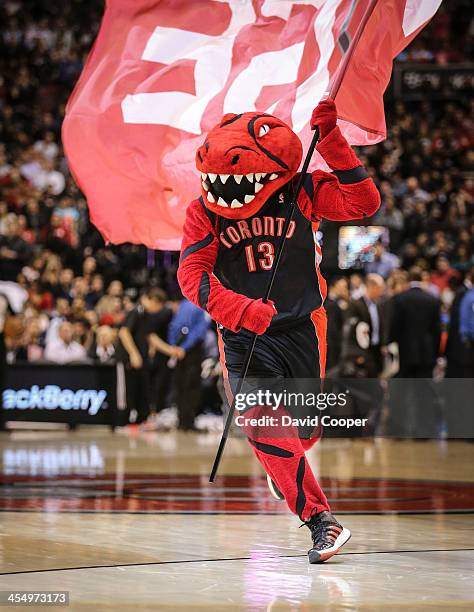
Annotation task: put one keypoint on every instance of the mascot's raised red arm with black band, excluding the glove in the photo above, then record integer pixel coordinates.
(346, 193)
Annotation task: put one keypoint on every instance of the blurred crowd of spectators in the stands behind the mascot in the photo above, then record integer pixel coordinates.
(79, 292)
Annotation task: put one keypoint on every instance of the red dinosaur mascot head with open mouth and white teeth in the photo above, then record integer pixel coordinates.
(244, 160)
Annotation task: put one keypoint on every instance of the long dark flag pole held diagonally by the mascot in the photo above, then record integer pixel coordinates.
(334, 88)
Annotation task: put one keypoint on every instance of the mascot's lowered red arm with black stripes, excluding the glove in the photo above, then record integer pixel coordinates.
(195, 272)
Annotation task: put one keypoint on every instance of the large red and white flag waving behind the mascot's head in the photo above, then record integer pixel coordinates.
(162, 72)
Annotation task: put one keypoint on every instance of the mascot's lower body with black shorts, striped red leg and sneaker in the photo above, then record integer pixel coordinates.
(281, 449)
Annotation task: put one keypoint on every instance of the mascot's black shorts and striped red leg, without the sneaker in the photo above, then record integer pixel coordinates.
(281, 450)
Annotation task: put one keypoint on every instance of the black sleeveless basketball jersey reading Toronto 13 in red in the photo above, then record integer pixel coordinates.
(247, 251)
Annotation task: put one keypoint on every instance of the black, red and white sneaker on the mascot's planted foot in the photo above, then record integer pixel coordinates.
(328, 536)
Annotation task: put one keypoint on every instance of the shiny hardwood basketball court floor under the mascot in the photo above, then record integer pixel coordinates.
(128, 521)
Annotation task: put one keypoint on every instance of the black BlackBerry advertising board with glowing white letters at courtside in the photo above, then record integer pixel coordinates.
(75, 394)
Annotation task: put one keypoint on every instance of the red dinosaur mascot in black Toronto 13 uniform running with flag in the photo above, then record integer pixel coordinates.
(249, 165)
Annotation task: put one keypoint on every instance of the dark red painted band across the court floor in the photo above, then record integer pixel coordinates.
(231, 494)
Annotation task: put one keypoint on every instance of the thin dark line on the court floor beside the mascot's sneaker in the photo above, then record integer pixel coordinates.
(223, 559)
